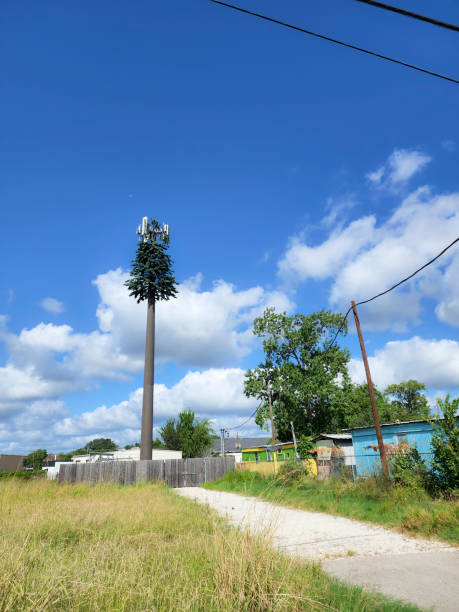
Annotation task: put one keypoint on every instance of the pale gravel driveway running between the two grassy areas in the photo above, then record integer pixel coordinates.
(424, 572)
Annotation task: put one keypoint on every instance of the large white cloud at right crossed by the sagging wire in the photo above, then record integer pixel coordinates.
(364, 258)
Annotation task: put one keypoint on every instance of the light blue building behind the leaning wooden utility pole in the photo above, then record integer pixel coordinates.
(417, 434)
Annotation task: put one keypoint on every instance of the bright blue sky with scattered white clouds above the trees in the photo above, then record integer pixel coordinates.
(292, 173)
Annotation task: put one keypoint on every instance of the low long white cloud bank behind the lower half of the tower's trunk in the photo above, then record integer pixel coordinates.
(216, 393)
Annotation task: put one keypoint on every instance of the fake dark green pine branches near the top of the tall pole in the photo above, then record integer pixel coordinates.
(151, 277)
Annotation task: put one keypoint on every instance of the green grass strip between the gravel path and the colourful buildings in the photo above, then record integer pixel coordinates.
(412, 511)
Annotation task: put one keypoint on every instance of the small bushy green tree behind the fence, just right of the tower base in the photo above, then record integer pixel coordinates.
(188, 434)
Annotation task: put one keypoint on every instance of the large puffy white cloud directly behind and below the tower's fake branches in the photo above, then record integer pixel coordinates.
(198, 328)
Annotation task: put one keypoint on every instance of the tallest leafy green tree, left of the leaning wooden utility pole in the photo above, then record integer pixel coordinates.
(305, 371)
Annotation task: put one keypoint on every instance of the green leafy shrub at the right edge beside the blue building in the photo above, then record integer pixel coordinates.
(445, 447)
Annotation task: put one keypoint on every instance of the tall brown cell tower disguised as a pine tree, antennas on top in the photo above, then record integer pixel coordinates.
(151, 279)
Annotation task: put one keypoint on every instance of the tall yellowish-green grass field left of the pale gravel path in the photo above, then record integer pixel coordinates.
(109, 548)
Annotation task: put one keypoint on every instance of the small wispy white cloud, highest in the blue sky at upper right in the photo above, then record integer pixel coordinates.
(400, 166)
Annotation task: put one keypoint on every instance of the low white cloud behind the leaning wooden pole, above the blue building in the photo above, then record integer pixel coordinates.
(433, 362)
